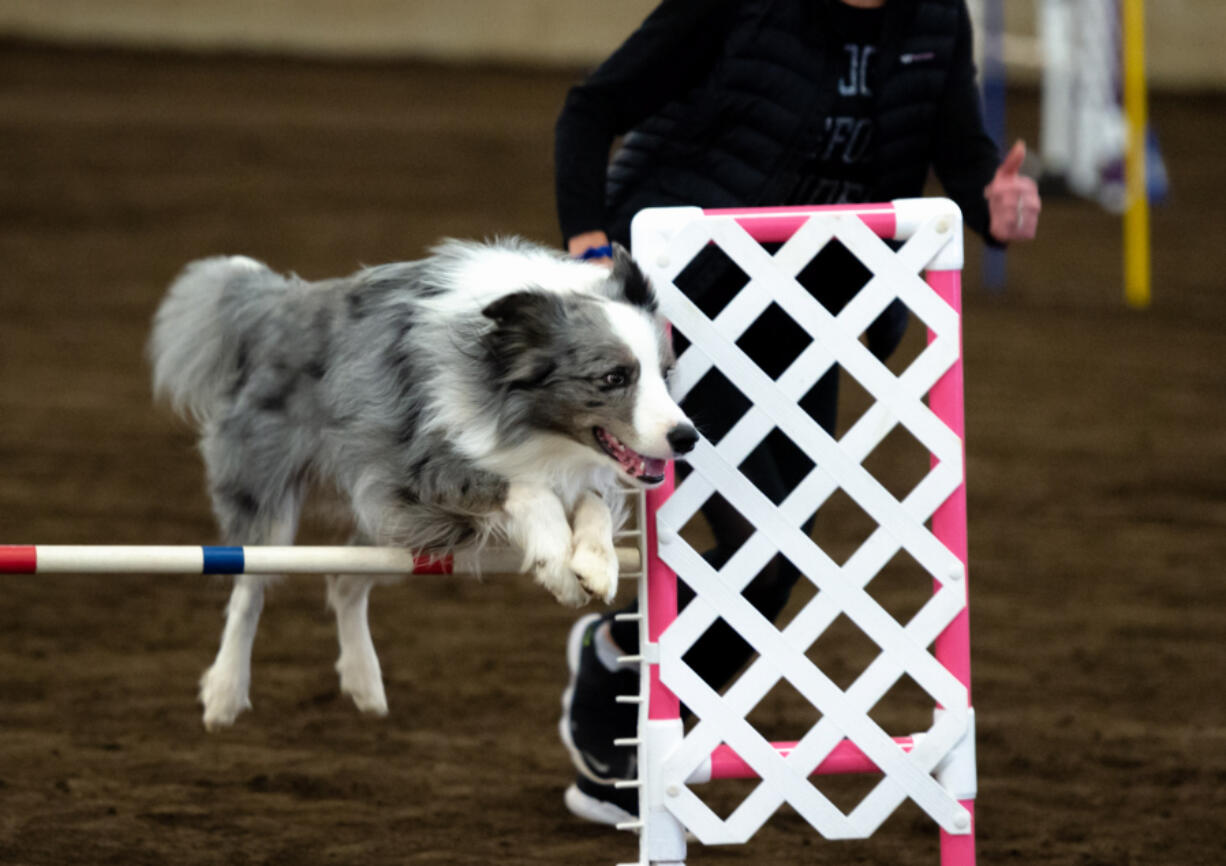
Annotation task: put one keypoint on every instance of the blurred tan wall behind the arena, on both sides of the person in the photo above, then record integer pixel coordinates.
(1185, 36)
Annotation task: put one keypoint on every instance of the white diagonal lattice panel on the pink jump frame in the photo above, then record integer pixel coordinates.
(838, 466)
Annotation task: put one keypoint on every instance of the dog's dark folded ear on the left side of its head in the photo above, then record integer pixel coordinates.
(525, 326)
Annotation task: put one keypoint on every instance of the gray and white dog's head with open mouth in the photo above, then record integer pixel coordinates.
(593, 367)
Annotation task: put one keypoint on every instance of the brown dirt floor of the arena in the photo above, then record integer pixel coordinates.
(1097, 464)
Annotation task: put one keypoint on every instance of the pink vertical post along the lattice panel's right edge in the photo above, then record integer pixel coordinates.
(950, 526)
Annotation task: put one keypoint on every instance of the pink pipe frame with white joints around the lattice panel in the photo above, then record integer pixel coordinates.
(660, 719)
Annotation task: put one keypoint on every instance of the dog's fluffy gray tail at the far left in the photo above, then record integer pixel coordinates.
(197, 344)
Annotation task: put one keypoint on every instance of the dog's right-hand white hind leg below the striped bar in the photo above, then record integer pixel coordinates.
(359, 664)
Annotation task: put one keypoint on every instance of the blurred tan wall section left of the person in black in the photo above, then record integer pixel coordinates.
(534, 31)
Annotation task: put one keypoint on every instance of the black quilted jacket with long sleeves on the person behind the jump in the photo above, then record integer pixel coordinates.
(722, 102)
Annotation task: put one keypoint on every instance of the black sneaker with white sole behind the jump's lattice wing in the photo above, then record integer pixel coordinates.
(592, 717)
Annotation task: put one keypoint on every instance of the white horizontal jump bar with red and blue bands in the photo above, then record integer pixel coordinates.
(261, 560)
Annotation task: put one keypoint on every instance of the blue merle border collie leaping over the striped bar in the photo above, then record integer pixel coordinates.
(491, 391)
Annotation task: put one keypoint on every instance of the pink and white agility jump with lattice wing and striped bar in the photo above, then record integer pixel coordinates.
(936, 767)
